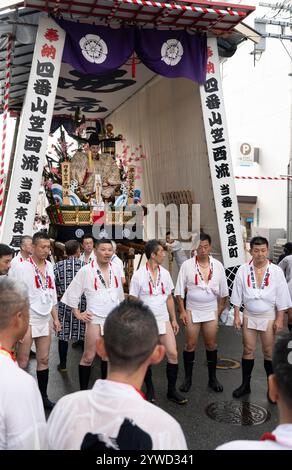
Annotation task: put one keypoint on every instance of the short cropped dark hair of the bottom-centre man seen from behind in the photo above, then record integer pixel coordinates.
(130, 335)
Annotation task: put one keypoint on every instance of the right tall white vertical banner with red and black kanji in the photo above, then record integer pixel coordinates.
(220, 162)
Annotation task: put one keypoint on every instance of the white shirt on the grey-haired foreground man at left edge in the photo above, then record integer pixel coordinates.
(22, 418)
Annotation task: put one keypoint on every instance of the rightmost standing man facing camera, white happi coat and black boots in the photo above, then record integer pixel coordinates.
(261, 287)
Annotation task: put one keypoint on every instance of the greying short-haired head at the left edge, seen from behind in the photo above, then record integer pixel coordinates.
(14, 309)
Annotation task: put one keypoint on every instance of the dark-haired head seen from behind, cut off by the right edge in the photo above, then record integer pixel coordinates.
(280, 382)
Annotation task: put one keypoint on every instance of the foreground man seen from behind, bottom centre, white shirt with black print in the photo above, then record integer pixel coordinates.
(114, 415)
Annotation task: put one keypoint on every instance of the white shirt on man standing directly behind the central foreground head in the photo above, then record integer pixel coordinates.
(157, 300)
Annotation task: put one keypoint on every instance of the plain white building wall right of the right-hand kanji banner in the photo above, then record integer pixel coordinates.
(258, 107)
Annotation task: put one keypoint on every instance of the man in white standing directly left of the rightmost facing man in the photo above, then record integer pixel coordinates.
(203, 282)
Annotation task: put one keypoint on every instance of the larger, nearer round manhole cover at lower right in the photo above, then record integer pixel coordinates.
(237, 412)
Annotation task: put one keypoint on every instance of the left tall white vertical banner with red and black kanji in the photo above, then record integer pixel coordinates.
(33, 134)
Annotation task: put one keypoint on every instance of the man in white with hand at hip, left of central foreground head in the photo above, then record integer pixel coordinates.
(100, 282)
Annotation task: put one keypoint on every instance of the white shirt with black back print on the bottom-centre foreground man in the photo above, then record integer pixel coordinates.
(103, 410)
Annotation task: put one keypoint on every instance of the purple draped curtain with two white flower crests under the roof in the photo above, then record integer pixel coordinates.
(97, 50)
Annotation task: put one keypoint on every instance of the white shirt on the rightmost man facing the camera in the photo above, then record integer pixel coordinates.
(274, 296)
